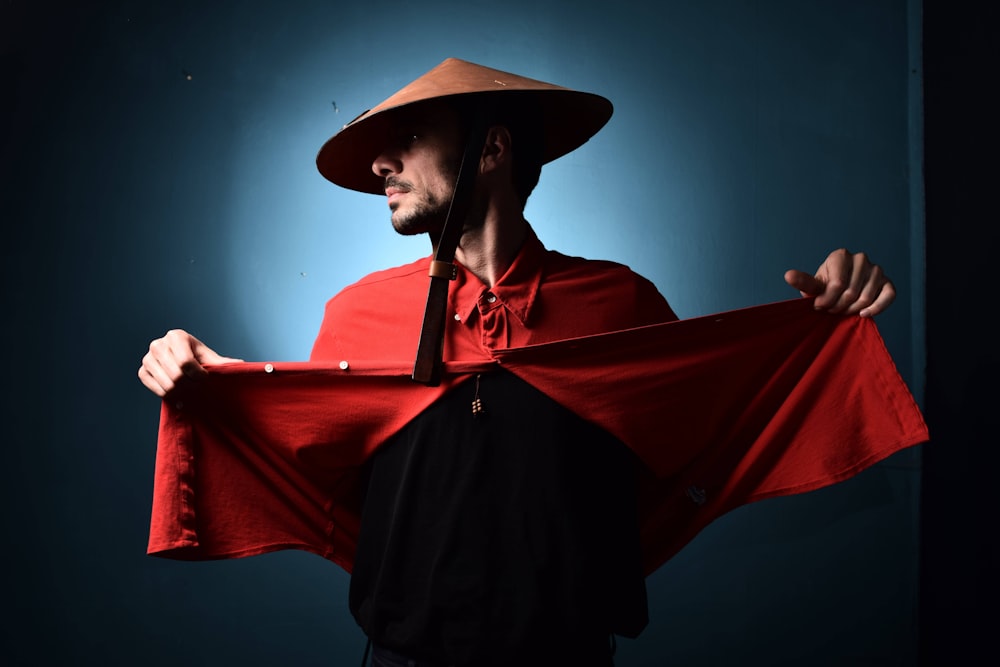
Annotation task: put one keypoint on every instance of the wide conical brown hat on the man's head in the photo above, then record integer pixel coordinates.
(568, 118)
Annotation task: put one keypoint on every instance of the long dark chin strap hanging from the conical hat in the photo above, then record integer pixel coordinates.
(430, 348)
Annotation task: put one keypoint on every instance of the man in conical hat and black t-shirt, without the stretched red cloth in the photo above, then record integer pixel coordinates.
(477, 535)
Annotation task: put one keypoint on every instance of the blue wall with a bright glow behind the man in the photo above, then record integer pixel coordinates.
(158, 173)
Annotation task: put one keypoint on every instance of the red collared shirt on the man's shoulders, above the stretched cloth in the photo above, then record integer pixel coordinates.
(543, 296)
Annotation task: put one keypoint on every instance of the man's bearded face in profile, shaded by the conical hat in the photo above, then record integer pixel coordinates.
(420, 166)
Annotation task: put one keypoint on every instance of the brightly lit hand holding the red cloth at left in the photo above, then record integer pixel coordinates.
(177, 355)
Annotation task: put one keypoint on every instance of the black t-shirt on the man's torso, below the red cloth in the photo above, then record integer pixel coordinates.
(505, 538)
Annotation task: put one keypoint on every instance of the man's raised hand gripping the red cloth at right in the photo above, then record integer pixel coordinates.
(847, 284)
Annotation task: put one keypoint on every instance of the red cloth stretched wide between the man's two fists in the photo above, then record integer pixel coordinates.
(723, 410)
